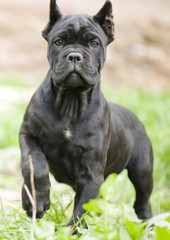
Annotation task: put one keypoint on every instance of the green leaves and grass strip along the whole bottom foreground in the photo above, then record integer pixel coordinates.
(108, 218)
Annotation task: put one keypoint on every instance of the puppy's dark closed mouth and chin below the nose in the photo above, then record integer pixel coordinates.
(74, 80)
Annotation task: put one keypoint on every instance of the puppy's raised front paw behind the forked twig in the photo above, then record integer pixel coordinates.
(42, 203)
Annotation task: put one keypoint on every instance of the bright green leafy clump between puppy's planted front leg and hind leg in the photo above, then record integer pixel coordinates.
(124, 224)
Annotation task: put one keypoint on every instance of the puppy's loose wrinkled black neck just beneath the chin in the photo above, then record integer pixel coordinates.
(71, 103)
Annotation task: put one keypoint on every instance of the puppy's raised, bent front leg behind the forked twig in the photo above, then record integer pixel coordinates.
(30, 149)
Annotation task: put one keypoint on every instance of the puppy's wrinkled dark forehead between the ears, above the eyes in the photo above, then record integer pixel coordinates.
(76, 25)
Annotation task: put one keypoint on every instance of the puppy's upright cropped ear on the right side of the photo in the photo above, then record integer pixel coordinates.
(105, 18)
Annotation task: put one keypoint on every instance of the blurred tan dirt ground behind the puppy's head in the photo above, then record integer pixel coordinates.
(139, 56)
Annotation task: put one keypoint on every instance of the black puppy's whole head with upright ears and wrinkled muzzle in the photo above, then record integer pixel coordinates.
(77, 46)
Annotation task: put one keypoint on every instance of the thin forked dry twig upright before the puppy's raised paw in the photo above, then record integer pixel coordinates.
(32, 197)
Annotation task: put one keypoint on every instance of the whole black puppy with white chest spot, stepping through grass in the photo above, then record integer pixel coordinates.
(70, 129)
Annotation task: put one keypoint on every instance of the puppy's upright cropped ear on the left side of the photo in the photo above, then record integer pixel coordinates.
(54, 15)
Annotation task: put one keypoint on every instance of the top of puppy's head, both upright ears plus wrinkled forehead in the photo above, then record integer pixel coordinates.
(100, 24)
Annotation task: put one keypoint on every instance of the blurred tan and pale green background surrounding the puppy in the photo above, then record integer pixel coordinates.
(137, 73)
